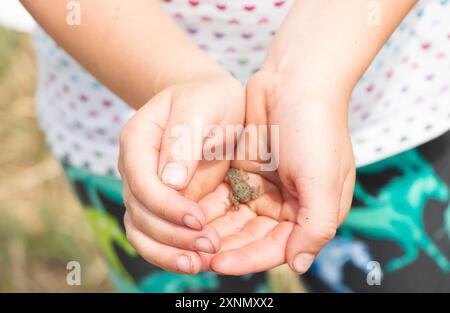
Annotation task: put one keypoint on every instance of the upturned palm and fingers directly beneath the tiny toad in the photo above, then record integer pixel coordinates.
(254, 236)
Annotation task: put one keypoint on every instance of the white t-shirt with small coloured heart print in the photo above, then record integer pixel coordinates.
(402, 100)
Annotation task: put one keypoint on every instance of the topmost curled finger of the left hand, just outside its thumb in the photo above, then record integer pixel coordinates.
(139, 153)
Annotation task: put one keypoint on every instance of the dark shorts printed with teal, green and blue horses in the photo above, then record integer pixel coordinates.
(400, 220)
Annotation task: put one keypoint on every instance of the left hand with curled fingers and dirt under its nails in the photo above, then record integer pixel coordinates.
(163, 221)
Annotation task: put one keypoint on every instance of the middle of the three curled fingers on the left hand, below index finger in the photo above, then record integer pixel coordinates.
(207, 240)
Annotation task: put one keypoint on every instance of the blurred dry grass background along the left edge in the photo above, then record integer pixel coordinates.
(41, 221)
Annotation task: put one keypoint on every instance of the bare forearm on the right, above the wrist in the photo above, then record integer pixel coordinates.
(330, 43)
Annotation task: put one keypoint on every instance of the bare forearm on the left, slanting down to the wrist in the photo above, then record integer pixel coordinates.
(133, 47)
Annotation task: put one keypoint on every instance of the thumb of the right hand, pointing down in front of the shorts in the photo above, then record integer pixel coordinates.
(316, 224)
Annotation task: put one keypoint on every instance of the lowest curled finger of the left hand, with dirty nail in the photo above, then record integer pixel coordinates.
(166, 257)
